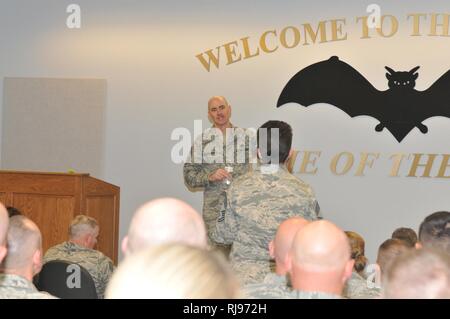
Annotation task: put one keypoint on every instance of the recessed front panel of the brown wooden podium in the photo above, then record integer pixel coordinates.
(52, 214)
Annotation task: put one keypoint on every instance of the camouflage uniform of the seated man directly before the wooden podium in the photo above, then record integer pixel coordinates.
(98, 265)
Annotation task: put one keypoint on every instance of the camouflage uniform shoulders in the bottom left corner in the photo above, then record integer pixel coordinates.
(17, 287)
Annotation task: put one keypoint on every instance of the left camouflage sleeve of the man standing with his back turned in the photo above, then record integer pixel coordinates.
(226, 225)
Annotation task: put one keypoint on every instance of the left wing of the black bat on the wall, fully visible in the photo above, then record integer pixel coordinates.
(334, 82)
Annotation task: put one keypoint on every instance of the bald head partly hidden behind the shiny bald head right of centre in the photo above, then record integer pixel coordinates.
(281, 245)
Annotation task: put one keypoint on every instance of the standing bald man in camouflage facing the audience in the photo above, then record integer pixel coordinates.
(211, 167)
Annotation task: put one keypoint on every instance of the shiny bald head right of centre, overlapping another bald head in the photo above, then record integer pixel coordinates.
(321, 246)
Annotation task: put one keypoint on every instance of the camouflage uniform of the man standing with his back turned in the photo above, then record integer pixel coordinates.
(256, 204)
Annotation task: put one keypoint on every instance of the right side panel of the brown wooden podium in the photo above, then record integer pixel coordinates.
(100, 208)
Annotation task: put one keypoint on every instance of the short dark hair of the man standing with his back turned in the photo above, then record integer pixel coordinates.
(284, 143)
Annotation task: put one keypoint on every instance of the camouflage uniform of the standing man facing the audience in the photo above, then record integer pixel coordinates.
(196, 172)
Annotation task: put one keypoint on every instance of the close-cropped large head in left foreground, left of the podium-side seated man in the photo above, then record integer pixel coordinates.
(24, 242)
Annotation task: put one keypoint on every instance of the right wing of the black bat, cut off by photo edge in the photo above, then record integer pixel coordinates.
(436, 100)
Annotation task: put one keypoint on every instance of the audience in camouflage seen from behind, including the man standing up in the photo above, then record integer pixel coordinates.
(281, 247)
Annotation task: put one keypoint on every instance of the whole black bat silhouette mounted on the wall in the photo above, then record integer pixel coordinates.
(399, 109)
